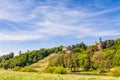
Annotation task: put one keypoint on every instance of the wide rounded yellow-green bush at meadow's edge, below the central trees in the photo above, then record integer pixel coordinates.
(56, 70)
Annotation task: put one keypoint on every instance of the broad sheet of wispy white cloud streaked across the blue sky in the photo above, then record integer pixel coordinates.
(46, 19)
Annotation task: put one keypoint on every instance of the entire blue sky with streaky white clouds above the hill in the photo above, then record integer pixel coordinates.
(34, 24)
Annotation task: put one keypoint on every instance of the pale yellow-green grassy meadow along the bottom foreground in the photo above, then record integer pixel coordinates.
(11, 75)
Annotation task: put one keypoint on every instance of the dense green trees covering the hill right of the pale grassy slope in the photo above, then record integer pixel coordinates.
(90, 57)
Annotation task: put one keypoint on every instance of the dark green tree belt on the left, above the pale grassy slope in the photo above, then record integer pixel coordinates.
(28, 58)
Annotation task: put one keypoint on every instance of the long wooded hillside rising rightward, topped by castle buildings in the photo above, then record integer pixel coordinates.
(101, 56)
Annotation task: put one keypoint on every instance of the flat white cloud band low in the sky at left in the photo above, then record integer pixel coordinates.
(21, 36)
